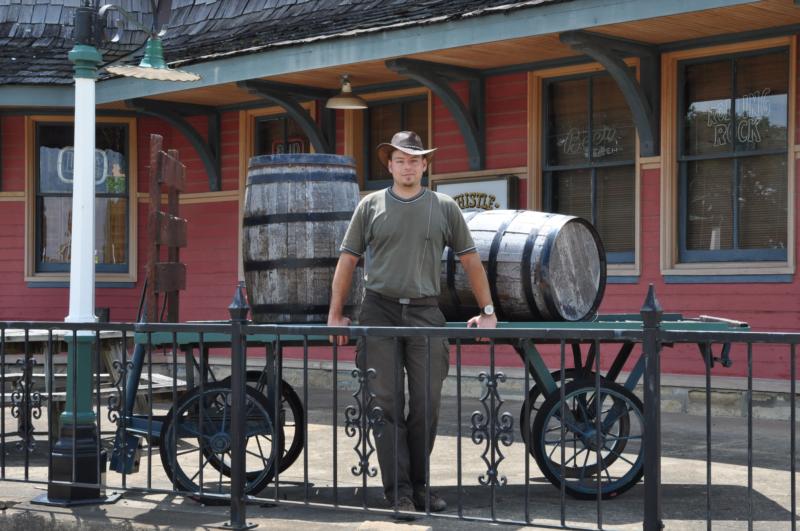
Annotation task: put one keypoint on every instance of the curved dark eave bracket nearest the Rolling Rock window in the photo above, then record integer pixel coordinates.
(642, 97)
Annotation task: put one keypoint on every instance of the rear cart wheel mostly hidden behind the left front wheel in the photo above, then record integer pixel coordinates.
(292, 427)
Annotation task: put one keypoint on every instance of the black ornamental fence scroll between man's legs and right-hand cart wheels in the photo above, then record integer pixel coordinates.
(492, 428)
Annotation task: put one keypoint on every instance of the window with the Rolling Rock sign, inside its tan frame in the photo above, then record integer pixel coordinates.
(733, 137)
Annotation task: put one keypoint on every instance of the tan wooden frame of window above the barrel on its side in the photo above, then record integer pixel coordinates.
(537, 155)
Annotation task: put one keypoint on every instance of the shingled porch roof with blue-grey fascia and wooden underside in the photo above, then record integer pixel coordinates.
(313, 42)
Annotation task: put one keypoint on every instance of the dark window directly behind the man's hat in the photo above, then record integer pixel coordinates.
(382, 120)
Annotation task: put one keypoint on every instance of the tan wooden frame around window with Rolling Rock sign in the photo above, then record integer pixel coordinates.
(675, 258)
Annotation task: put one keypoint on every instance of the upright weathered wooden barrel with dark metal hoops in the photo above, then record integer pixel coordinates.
(296, 211)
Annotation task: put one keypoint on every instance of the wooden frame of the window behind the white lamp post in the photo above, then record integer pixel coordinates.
(126, 273)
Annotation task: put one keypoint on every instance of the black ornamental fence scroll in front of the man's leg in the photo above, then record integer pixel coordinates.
(360, 424)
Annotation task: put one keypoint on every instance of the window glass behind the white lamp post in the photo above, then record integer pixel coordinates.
(52, 213)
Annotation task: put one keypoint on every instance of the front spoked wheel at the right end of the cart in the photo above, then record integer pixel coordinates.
(620, 449)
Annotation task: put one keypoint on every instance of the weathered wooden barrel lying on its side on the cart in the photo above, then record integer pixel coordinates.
(541, 267)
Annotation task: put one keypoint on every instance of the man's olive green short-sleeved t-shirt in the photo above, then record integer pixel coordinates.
(402, 241)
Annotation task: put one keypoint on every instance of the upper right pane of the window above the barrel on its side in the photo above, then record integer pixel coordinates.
(613, 133)
